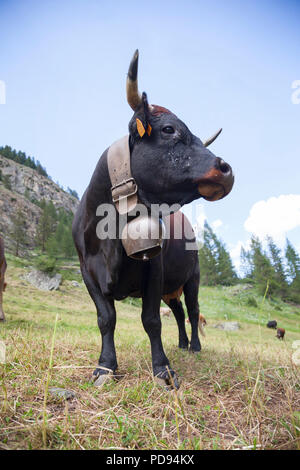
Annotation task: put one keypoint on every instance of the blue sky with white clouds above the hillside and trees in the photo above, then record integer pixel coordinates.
(213, 63)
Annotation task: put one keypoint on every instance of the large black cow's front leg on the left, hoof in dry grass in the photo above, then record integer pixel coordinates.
(106, 316)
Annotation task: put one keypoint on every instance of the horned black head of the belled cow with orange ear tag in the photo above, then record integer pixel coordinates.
(168, 162)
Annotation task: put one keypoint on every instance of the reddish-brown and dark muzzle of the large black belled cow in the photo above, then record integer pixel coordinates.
(217, 182)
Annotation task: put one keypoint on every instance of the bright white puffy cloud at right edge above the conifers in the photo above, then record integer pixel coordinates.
(275, 216)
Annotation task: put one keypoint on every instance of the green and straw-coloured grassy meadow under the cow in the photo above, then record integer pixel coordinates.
(241, 392)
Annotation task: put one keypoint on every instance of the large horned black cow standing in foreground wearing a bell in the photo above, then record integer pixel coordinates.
(169, 165)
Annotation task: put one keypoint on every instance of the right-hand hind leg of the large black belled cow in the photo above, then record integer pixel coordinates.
(191, 289)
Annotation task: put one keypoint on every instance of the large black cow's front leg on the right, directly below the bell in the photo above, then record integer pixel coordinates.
(152, 291)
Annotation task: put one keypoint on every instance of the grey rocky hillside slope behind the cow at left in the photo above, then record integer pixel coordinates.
(23, 188)
